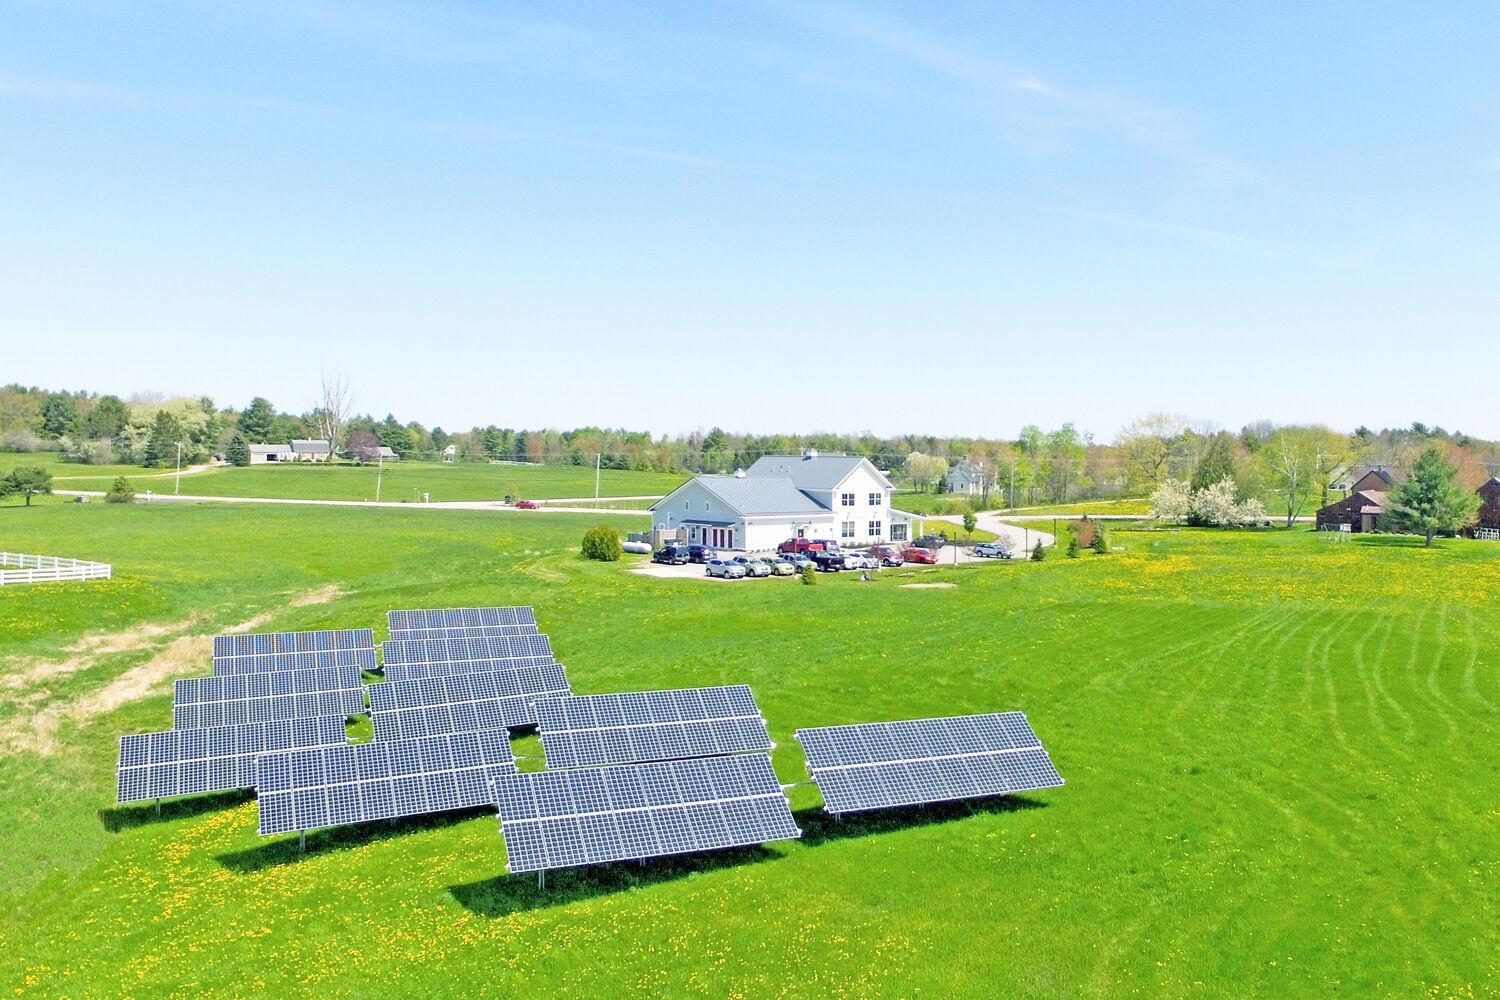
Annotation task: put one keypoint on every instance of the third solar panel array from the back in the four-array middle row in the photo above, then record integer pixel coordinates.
(464, 702)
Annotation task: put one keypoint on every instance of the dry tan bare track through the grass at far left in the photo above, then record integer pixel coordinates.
(181, 656)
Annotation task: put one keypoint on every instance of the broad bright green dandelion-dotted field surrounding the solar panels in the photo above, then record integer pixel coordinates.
(1282, 762)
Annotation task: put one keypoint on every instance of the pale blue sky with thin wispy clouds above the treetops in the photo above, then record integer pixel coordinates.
(931, 218)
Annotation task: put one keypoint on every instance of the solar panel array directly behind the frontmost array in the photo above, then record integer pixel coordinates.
(637, 726)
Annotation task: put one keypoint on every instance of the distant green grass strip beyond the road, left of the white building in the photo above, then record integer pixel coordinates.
(400, 482)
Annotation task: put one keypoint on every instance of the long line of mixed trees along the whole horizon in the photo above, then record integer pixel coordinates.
(1289, 464)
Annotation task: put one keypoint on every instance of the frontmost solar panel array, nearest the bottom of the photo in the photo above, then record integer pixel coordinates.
(559, 819)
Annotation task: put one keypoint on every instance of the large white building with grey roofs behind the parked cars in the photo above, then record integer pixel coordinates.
(814, 496)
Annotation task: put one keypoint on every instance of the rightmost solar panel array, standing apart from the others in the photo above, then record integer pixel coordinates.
(883, 765)
